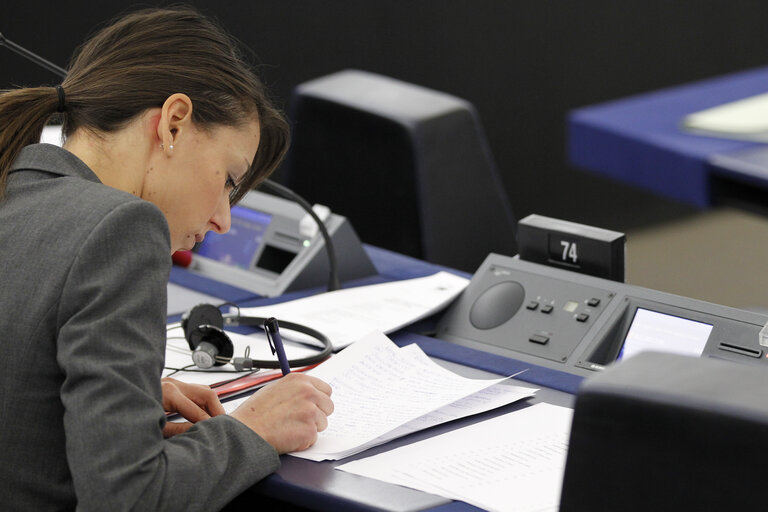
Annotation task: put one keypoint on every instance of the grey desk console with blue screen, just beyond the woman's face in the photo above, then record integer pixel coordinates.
(271, 248)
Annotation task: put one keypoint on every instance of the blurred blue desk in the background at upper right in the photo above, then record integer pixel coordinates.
(637, 140)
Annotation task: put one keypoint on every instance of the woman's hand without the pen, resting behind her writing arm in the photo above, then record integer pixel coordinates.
(195, 402)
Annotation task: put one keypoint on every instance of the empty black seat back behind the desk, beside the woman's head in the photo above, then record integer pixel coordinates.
(409, 166)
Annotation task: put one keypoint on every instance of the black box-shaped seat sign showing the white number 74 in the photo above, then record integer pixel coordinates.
(578, 247)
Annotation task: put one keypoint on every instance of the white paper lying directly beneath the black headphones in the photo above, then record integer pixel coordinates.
(178, 355)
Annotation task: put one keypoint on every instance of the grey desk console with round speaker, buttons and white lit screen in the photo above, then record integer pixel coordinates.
(580, 324)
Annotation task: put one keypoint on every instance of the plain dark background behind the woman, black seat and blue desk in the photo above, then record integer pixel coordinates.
(523, 64)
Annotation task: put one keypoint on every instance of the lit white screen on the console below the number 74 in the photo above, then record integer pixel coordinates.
(659, 332)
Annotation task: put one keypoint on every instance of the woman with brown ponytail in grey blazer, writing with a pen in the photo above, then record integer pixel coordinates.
(165, 128)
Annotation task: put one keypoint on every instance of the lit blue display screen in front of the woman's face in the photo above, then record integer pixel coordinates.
(239, 245)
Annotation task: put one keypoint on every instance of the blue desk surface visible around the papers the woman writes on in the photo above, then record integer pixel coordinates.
(318, 485)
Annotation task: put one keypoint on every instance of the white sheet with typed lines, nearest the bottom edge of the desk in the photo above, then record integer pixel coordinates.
(513, 462)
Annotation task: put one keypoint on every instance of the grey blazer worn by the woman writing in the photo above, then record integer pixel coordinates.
(83, 272)
